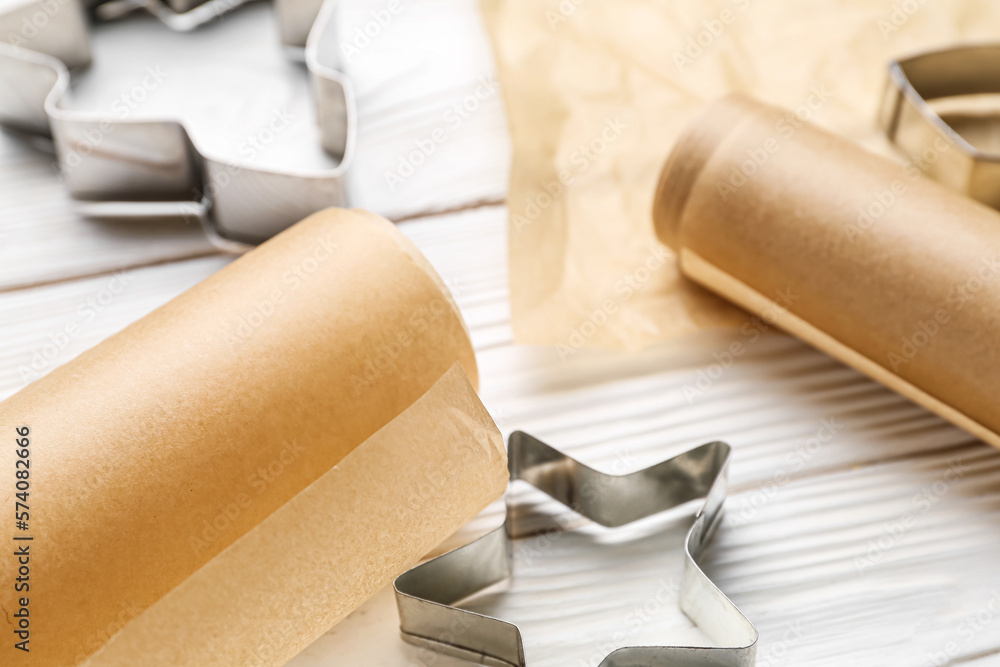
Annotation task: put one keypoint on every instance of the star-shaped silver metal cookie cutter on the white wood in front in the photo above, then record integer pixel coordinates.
(426, 593)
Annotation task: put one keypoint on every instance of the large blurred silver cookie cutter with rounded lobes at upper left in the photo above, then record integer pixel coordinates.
(149, 167)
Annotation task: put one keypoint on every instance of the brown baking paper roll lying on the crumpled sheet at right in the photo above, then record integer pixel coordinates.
(863, 258)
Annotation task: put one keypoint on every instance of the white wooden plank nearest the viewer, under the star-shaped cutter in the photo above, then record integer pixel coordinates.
(928, 597)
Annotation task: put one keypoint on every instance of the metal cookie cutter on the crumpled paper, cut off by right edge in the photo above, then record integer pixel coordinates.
(918, 131)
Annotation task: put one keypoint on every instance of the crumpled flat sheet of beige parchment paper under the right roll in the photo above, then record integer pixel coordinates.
(598, 90)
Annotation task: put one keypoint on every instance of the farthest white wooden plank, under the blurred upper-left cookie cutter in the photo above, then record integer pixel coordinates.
(427, 93)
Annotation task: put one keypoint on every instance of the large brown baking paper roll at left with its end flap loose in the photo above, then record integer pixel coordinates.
(228, 477)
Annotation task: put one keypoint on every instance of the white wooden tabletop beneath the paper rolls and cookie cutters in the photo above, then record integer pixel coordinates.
(860, 529)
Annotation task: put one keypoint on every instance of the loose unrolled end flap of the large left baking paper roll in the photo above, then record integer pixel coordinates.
(331, 547)
